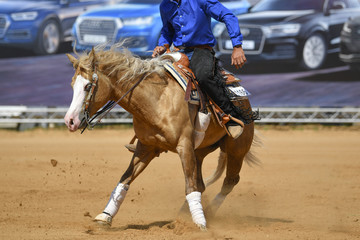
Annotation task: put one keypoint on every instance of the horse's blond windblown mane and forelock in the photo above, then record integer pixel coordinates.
(119, 62)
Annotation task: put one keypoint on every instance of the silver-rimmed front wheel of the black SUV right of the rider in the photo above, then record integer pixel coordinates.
(314, 52)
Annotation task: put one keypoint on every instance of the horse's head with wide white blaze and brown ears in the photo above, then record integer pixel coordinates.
(91, 90)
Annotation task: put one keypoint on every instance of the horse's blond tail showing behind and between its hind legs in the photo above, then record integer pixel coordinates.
(250, 158)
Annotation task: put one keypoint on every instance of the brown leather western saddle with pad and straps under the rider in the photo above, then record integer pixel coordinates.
(181, 72)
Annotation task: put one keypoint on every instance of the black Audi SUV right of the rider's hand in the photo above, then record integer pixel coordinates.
(301, 31)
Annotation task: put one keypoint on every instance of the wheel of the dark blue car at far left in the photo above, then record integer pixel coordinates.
(48, 39)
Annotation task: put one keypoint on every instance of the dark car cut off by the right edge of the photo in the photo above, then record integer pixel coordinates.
(350, 43)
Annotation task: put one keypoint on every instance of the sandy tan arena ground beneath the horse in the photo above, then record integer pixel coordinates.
(53, 183)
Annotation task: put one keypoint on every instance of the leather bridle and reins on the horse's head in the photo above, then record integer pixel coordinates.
(87, 121)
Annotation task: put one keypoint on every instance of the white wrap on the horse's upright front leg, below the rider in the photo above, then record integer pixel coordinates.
(197, 213)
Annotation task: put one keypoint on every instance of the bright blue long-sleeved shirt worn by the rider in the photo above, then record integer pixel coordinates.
(188, 23)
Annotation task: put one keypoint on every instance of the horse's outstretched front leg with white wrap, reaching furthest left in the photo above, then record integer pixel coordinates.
(141, 158)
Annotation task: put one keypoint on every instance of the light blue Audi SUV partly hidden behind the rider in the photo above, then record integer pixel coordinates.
(138, 22)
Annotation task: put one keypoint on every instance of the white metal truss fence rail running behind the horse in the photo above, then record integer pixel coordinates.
(54, 115)
